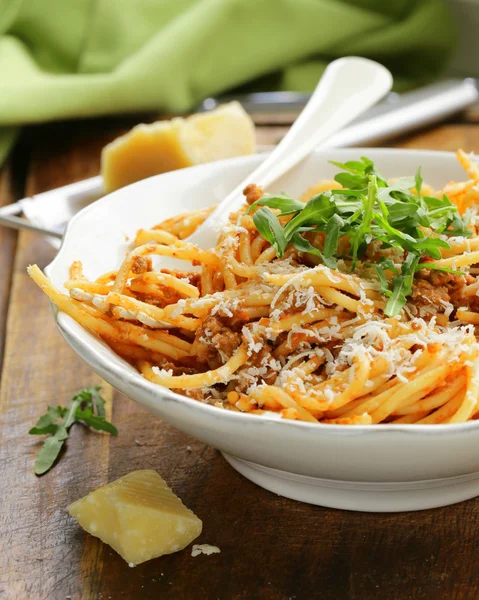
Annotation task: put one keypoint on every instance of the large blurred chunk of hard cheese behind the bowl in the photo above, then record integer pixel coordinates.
(168, 145)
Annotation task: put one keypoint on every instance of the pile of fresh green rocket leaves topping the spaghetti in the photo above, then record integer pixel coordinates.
(366, 209)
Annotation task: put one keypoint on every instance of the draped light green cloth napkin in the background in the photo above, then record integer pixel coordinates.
(73, 58)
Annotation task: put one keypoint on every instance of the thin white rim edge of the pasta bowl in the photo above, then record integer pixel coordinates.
(158, 393)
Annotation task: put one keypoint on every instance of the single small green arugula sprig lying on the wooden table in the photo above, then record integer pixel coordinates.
(87, 407)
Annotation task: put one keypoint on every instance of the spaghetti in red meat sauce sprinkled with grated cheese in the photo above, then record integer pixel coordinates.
(248, 330)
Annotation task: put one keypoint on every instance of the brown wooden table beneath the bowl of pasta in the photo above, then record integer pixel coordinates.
(271, 548)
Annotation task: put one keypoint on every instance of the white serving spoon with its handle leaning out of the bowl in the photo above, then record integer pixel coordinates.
(348, 87)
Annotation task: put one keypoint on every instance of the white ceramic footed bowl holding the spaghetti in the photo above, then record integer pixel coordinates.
(369, 468)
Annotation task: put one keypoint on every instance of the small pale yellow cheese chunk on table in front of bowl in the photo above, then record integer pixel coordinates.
(138, 516)
